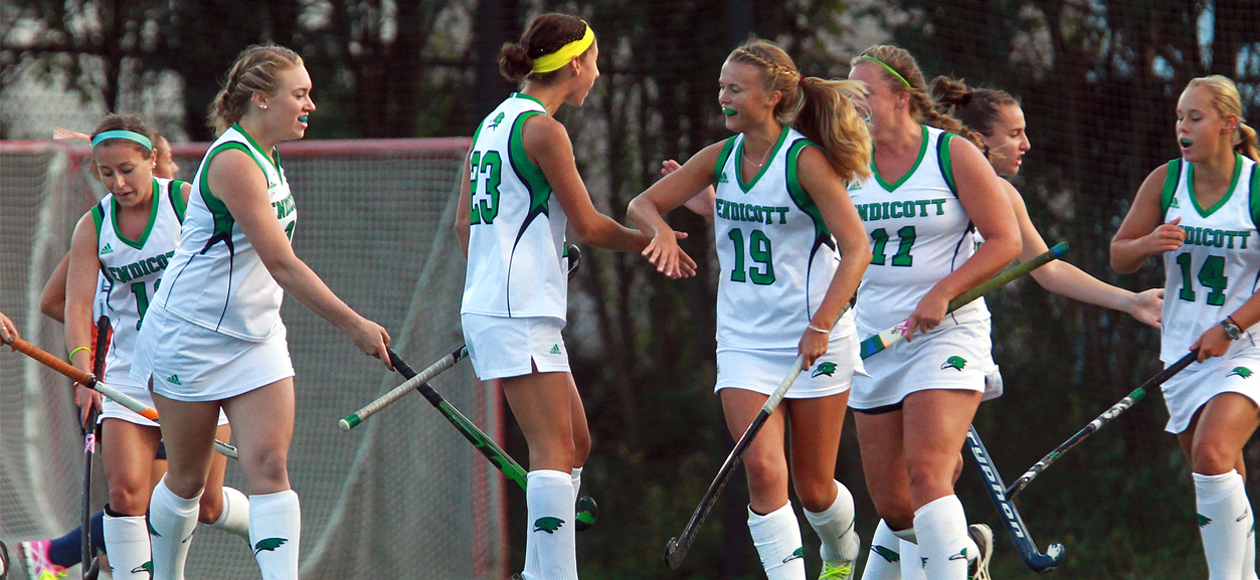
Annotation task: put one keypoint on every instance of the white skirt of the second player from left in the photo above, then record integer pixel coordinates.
(193, 364)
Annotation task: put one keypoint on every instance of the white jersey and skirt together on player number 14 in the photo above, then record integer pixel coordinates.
(1209, 278)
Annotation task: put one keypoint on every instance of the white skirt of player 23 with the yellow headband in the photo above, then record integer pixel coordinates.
(506, 347)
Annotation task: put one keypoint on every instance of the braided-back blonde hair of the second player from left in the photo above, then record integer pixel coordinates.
(255, 71)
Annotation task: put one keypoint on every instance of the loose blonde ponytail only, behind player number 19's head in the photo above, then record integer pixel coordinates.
(828, 118)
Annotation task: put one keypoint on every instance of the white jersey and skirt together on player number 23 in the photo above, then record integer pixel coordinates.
(516, 287)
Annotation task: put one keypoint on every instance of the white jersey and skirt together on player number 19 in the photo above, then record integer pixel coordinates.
(778, 259)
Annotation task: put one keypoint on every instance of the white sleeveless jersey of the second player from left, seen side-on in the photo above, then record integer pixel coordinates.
(217, 279)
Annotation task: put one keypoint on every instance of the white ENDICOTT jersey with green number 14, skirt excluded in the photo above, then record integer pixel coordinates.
(1217, 269)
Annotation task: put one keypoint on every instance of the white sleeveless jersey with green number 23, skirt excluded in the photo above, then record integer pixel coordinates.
(517, 235)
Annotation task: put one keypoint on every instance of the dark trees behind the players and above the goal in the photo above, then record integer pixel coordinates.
(1099, 84)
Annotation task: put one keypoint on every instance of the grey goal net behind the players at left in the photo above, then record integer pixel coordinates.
(404, 495)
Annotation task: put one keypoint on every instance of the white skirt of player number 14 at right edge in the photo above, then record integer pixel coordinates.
(1188, 391)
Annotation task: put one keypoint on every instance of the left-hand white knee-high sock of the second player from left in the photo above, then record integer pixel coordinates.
(172, 521)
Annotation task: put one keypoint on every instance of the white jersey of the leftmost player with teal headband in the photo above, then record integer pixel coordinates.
(133, 269)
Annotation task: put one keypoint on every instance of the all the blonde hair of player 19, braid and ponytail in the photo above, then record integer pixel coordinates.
(820, 109)
